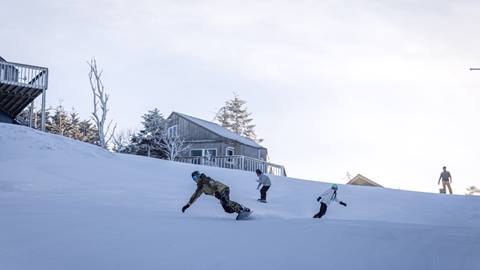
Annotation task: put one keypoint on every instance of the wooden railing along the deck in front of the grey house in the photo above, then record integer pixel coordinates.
(236, 162)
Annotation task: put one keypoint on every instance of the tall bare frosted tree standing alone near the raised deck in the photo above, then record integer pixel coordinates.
(100, 109)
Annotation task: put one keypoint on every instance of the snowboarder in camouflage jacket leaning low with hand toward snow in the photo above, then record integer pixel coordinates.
(221, 191)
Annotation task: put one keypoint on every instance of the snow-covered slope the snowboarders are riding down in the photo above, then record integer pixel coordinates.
(70, 205)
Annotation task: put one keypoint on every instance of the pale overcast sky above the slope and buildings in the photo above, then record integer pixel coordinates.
(381, 88)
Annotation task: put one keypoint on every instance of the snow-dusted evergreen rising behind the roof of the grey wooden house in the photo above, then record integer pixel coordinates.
(234, 115)
